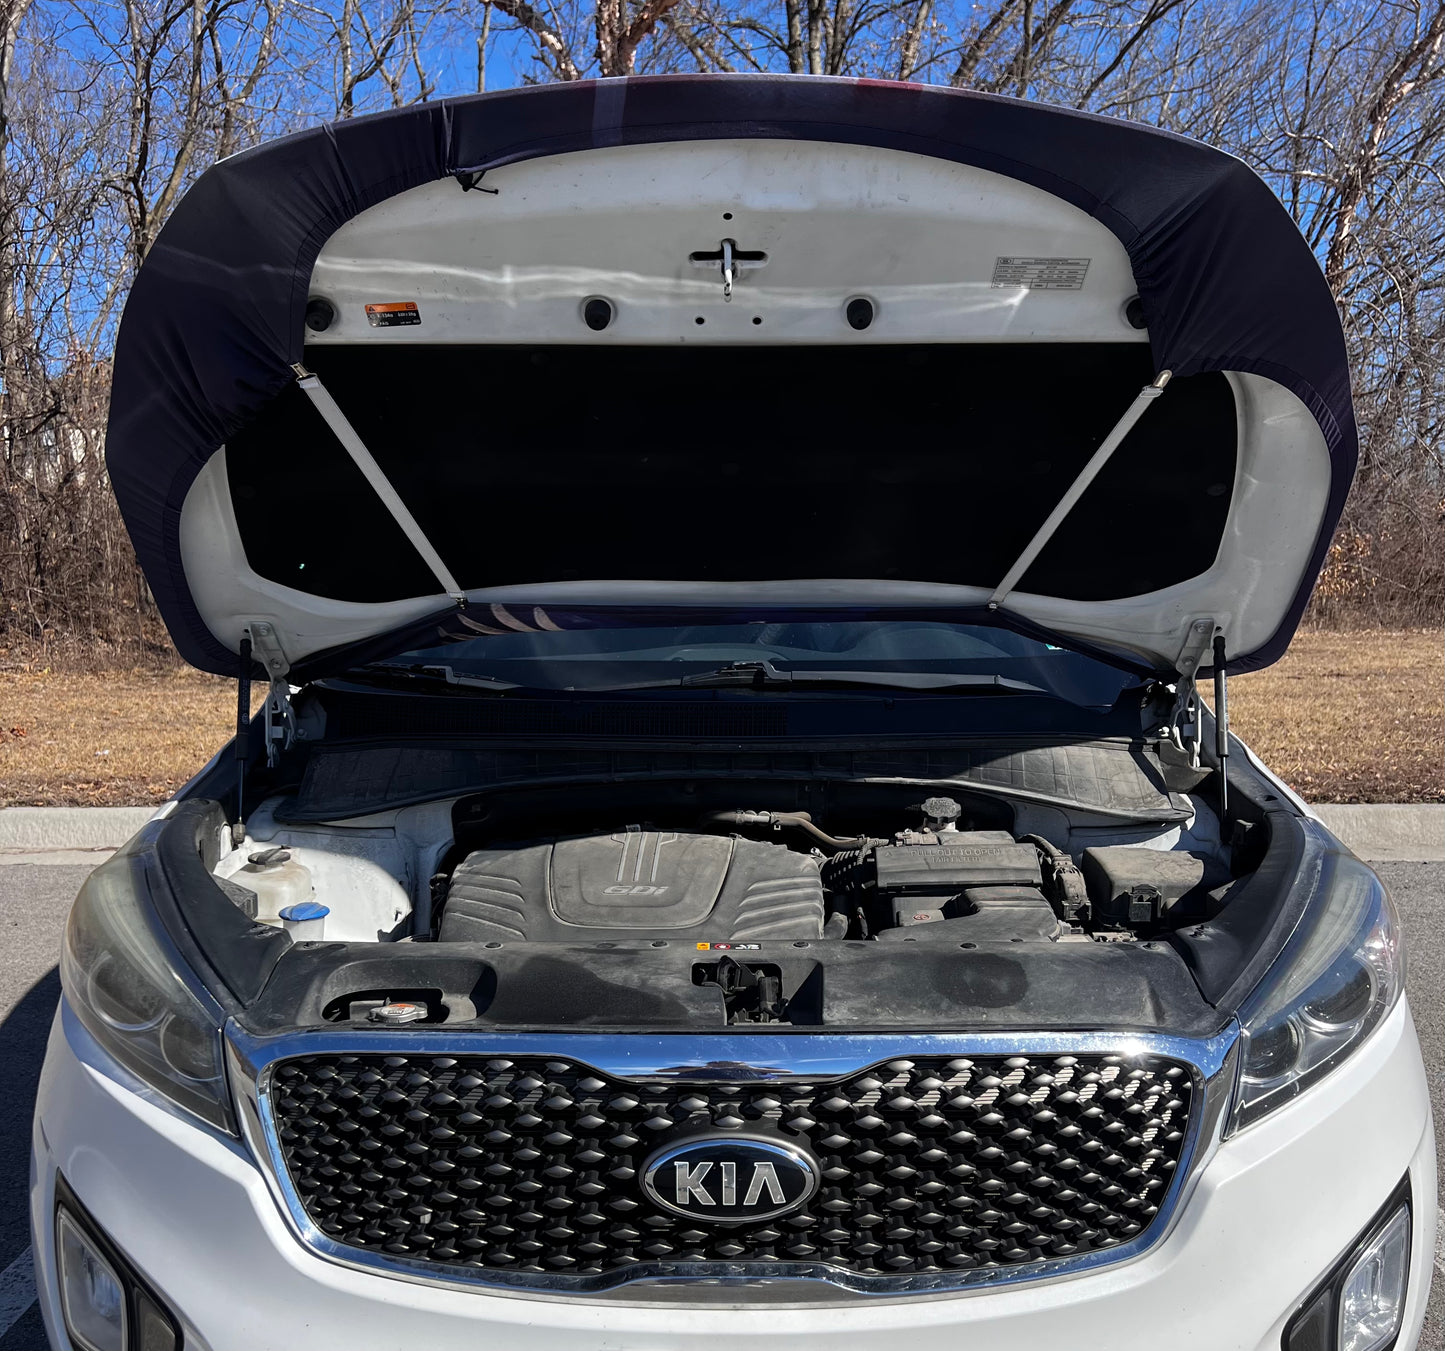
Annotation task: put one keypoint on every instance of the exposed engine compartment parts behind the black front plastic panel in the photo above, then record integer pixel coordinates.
(726, 879)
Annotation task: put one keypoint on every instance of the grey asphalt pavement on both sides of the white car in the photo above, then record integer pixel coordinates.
(34, 901)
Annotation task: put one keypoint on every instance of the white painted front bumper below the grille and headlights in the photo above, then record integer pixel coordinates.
(1269, 1216)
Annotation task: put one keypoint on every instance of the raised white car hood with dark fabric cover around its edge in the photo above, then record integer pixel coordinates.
(483, 358)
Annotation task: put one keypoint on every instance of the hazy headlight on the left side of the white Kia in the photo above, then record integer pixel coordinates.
(135, 995)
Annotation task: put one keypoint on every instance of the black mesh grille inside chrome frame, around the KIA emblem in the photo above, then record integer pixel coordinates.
(928, 1165)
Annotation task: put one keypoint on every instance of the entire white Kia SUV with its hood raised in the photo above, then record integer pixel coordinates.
(735, 850)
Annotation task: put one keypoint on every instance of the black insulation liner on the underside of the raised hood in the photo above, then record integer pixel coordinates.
(762, 492)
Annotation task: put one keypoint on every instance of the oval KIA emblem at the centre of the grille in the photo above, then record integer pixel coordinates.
(730, 1180)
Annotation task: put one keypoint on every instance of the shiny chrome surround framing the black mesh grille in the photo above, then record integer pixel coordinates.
(716, 1060)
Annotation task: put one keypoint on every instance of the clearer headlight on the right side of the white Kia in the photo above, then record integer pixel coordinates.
(1337, 979)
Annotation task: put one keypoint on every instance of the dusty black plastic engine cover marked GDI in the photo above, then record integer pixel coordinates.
(637, 884)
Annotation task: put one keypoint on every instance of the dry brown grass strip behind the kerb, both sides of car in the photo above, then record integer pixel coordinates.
(1346, 717)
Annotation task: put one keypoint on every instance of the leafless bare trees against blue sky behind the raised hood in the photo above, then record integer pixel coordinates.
(109, 111)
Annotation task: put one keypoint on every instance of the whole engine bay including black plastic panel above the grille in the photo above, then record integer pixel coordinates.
(661, 904)
